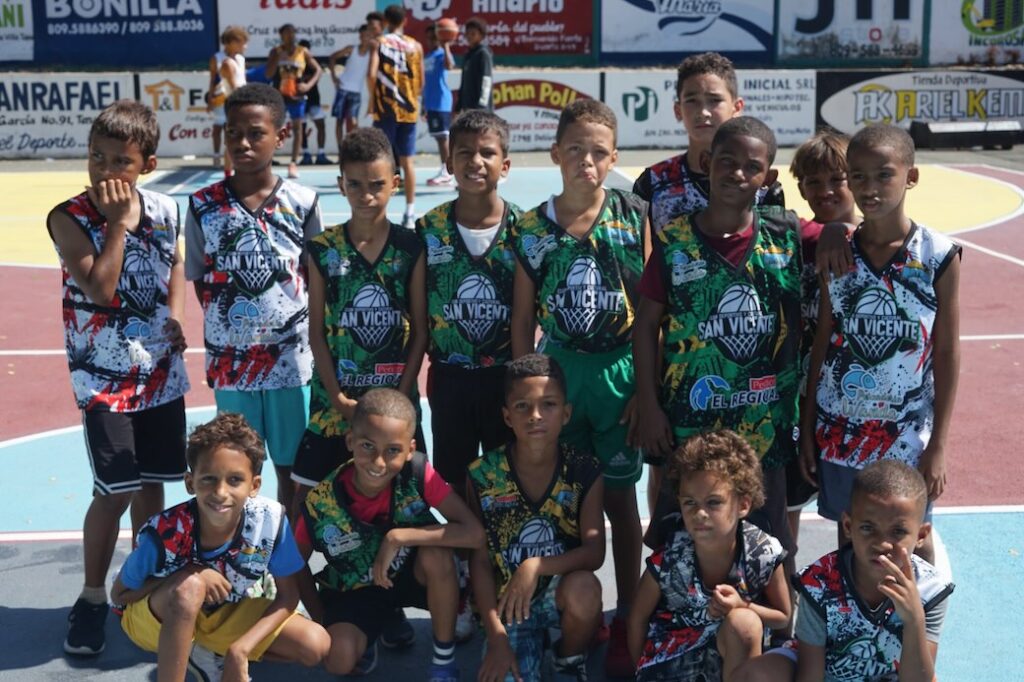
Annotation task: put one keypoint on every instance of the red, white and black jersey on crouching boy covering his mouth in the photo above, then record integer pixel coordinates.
(861, 645)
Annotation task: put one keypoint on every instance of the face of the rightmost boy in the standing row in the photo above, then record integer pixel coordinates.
(879, 181)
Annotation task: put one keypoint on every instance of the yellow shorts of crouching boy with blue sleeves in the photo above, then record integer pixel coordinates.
(217, 631)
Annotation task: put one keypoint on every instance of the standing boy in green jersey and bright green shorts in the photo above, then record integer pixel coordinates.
(581, 254)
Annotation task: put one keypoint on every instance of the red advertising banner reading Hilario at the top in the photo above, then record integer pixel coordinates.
(537, 28)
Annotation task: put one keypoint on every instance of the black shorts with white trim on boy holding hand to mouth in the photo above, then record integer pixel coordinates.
(127, 450)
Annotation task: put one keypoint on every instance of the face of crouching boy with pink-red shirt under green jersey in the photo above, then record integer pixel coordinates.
(380, 448)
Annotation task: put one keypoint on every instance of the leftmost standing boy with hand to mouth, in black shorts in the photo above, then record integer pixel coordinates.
(123, 303)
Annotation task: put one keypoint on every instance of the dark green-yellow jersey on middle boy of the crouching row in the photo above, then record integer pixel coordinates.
(518, 528)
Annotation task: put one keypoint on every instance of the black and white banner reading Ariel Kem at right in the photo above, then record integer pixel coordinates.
(850, 101)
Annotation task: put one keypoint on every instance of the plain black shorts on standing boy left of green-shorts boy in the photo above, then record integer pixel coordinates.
(465, 416)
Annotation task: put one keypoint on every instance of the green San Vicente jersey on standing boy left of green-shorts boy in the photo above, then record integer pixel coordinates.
(470, 299)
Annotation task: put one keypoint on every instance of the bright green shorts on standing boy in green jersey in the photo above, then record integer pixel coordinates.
(600, 387)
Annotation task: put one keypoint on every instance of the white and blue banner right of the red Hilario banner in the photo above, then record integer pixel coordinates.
(645, 30)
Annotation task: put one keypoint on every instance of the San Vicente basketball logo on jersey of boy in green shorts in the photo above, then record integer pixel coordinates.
(584, 299)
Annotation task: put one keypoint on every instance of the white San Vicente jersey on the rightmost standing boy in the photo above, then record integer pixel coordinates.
(877, 389)
